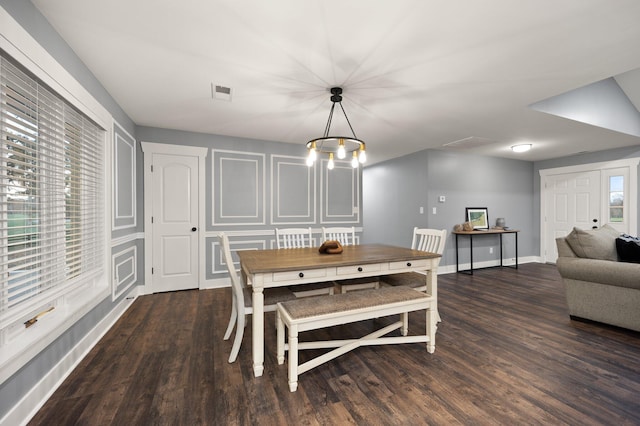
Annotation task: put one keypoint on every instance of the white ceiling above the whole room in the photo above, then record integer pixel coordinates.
(416, 74)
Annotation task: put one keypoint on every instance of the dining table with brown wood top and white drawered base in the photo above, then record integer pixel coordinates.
(289, 267)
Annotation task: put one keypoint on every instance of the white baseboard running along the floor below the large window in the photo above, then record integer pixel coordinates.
(29, 405)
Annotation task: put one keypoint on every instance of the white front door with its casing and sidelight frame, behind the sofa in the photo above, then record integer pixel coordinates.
(576, 195)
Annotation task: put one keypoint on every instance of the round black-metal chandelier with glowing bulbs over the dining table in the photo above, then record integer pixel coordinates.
(336, 146)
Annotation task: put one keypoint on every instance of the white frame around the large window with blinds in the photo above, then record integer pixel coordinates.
(26, 343)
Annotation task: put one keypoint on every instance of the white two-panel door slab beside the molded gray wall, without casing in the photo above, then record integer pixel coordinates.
(175, 222)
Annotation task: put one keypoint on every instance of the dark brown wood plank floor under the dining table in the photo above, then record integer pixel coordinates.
(506, 353)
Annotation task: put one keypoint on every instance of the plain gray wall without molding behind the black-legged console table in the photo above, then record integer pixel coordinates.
(395, 190)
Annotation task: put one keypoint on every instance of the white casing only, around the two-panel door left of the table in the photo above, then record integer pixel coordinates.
(149, 149)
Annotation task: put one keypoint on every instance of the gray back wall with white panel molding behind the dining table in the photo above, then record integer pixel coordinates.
(288, 193)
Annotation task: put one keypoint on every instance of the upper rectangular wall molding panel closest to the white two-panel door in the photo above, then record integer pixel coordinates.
(238, 186)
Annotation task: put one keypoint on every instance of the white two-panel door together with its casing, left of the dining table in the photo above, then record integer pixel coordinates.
(174, 217)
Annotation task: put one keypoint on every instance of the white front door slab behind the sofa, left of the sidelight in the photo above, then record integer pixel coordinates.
(572, 199)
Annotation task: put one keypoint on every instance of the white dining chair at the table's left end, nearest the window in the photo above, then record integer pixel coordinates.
(241, 299)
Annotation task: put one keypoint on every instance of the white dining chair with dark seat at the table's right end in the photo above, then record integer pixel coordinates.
(431, 240)
